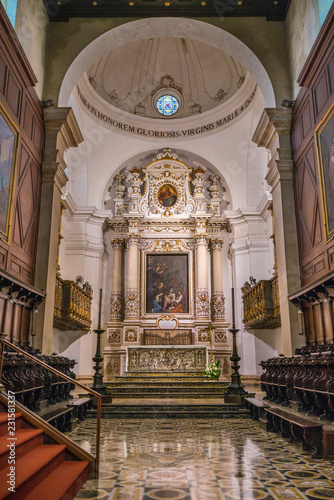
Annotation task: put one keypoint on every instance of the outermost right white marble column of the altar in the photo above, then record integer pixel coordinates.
(218, 300)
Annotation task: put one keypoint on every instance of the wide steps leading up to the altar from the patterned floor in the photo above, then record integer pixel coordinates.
(168, 395)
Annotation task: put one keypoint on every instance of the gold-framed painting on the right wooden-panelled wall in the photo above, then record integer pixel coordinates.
(325, 146)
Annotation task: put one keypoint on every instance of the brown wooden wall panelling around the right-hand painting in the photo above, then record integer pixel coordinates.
(312, 104)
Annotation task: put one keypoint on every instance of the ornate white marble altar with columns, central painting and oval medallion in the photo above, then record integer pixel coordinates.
(168, 257)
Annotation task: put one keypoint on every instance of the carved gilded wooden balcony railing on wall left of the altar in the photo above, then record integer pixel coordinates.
(72, 309)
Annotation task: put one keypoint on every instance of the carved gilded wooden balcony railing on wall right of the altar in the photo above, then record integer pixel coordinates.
(261, 304)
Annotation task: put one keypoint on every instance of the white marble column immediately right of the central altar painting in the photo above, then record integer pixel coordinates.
(202, 281)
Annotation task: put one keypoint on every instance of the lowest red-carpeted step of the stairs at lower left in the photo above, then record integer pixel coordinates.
(64, 482)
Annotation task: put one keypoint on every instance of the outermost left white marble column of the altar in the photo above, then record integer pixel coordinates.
(116, 299)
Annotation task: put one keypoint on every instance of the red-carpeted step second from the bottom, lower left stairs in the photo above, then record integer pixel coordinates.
(32, 468)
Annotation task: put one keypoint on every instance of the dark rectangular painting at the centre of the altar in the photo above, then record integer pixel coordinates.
(167, 284)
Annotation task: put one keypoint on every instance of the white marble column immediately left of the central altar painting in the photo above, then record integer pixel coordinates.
(132, 289)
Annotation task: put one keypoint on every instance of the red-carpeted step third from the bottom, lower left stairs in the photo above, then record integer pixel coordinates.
(25, 440)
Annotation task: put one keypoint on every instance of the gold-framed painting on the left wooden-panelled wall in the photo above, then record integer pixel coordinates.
(9, 136)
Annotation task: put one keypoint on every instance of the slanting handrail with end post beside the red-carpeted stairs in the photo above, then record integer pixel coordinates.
(4, 342)
